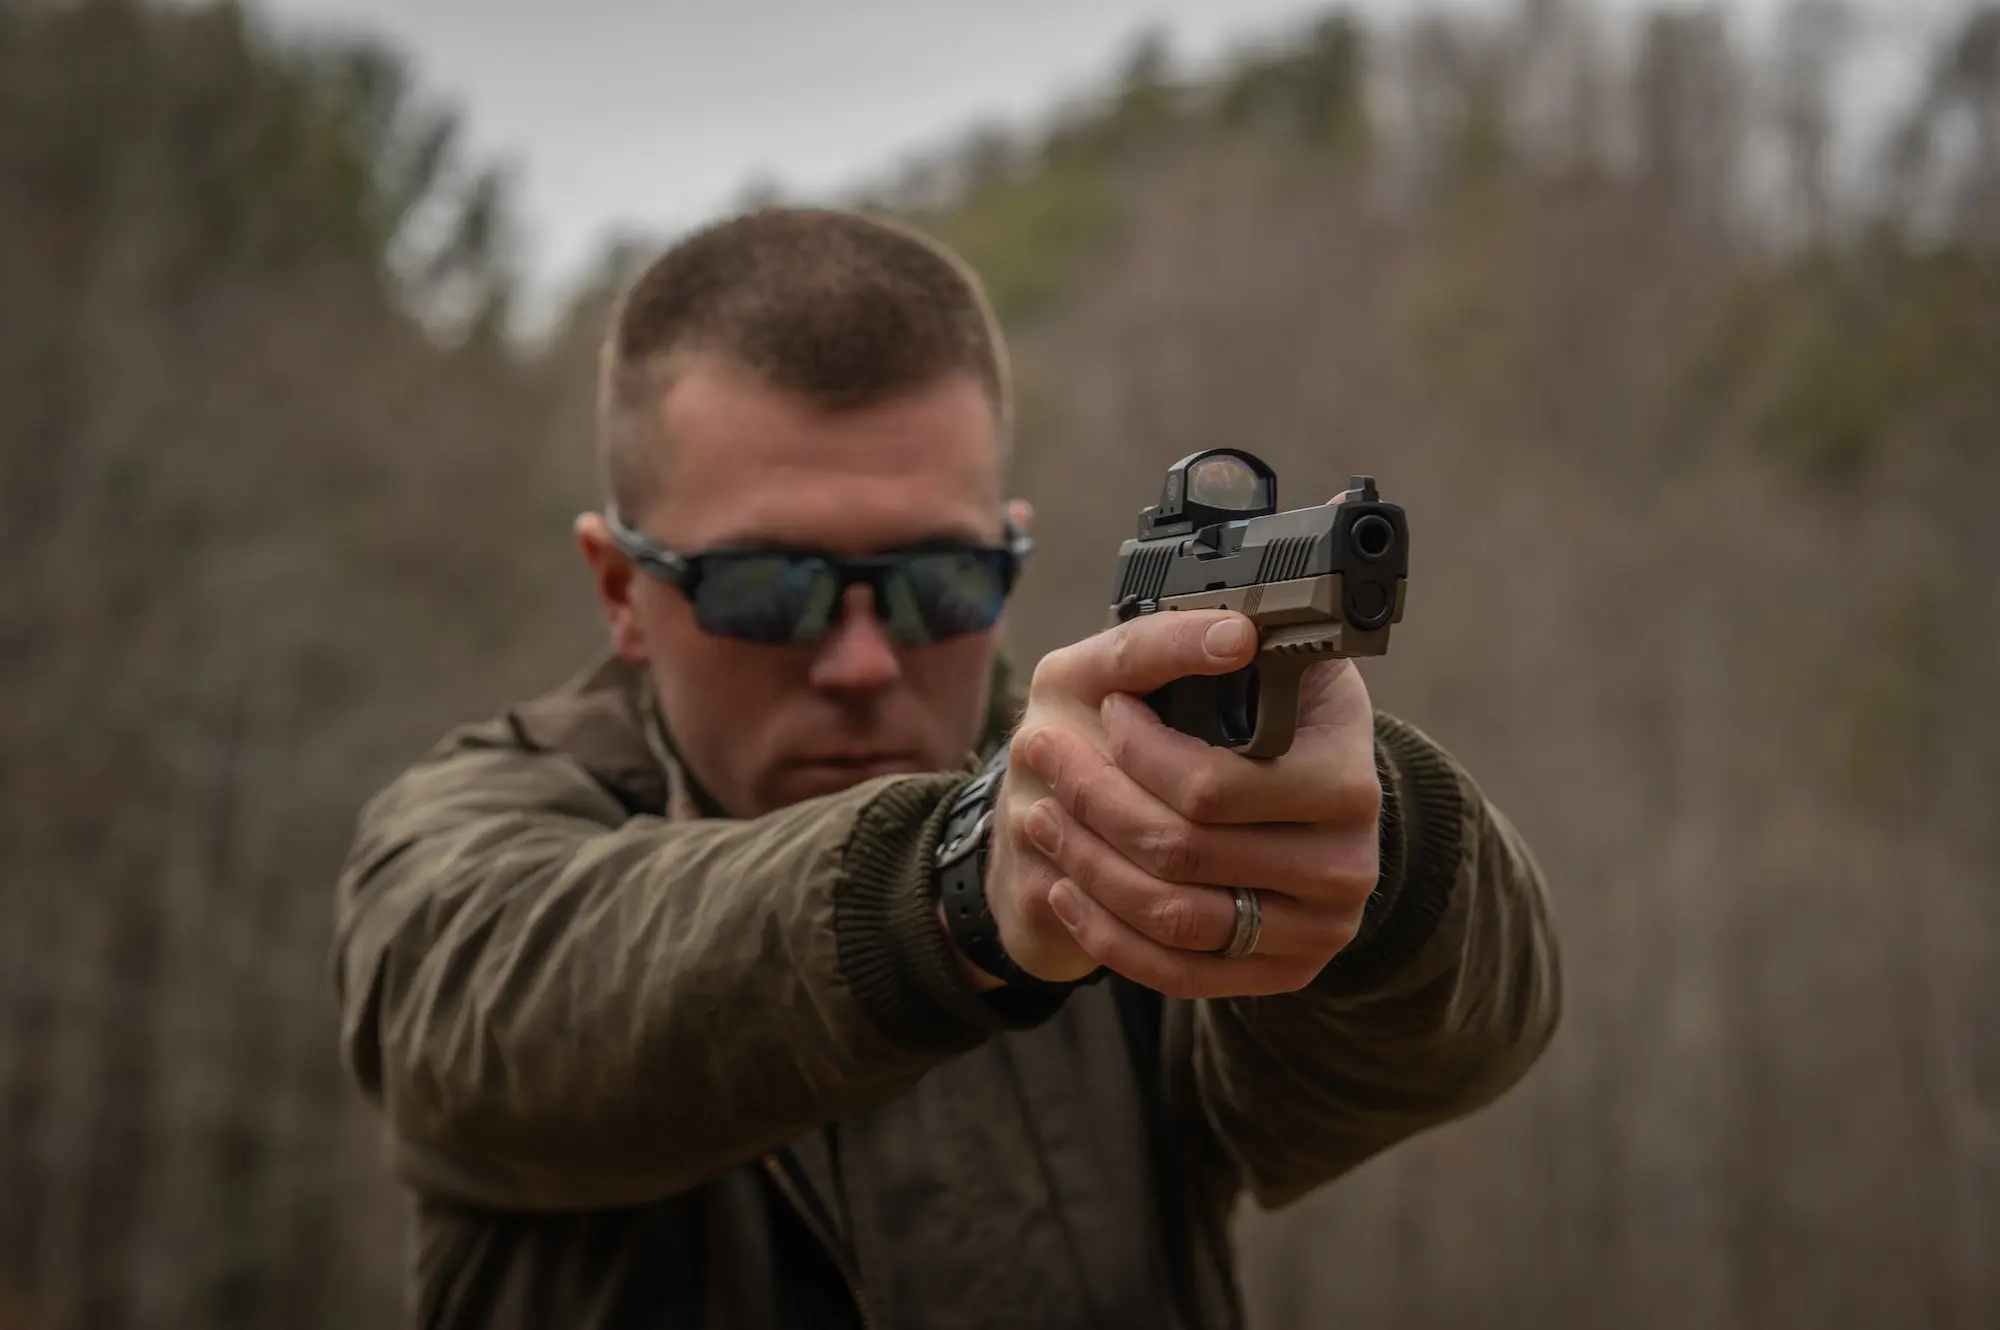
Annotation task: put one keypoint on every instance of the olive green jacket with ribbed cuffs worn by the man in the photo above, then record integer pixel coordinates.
(645, 1067)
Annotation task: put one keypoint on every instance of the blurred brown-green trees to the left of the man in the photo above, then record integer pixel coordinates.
(221, 437)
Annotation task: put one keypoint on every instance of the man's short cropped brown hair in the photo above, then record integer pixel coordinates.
(841, 309)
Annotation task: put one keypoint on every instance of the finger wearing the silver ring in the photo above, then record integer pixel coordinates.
(1193, 919)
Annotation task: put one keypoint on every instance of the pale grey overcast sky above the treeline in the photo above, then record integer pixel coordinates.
(655, 115)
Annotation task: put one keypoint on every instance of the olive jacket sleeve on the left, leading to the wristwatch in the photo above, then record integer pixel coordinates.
(557, 1005)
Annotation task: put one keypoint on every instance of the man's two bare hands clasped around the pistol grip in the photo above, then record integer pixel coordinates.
(1117, 839)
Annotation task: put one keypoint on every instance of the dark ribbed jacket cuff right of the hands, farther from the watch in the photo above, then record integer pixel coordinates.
(1423, 831)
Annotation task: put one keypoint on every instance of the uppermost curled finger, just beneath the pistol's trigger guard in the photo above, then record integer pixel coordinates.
(1327, 777)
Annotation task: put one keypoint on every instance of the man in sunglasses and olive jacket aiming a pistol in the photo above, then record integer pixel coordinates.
(655, 981)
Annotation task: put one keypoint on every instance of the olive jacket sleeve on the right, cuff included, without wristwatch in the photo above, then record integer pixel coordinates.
(1439, 1007)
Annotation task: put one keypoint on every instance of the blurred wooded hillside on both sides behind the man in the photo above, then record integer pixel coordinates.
(1689, 381)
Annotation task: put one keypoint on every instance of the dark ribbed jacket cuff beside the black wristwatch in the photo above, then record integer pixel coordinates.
(893, 951)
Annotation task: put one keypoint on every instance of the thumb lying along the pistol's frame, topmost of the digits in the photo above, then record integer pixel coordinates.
(1149, 653)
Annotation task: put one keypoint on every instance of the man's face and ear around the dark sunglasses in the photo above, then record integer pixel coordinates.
(745, 463)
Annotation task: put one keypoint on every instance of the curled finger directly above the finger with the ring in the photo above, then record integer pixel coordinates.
(1313, 863)
